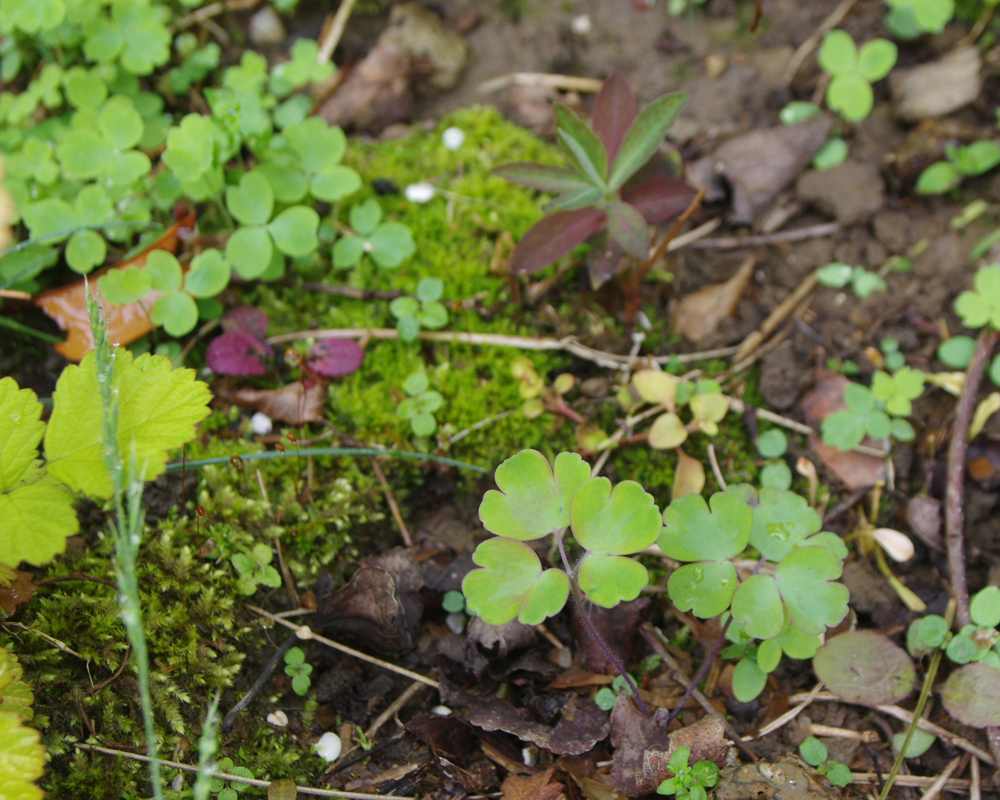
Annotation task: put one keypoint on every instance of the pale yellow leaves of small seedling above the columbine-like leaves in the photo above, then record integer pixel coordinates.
(705, 400)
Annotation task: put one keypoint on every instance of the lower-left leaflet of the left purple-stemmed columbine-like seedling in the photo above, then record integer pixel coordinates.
(513, 584)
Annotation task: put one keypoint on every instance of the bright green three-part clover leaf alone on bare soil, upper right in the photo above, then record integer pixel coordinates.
(853, 71)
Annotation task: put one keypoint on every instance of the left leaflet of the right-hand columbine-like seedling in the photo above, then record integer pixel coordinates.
(694, 533)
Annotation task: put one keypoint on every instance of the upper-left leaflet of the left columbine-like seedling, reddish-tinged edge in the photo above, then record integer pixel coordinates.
(534, 499)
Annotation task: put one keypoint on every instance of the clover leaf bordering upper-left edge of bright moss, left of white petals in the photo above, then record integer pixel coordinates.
(305, 160)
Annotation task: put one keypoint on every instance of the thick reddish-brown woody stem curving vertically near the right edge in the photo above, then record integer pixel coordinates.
(955, 494)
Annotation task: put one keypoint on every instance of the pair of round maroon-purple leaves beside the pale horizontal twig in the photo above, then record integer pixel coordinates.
(242, 349)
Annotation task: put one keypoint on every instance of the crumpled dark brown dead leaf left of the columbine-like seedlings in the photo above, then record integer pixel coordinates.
(380, 607)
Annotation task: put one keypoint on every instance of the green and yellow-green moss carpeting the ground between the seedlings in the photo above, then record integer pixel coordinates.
(201, 640)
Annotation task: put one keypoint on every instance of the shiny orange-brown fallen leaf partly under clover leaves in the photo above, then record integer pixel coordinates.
(67, 305)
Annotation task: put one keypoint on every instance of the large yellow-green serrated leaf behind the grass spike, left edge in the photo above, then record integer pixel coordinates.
(158, 408)
